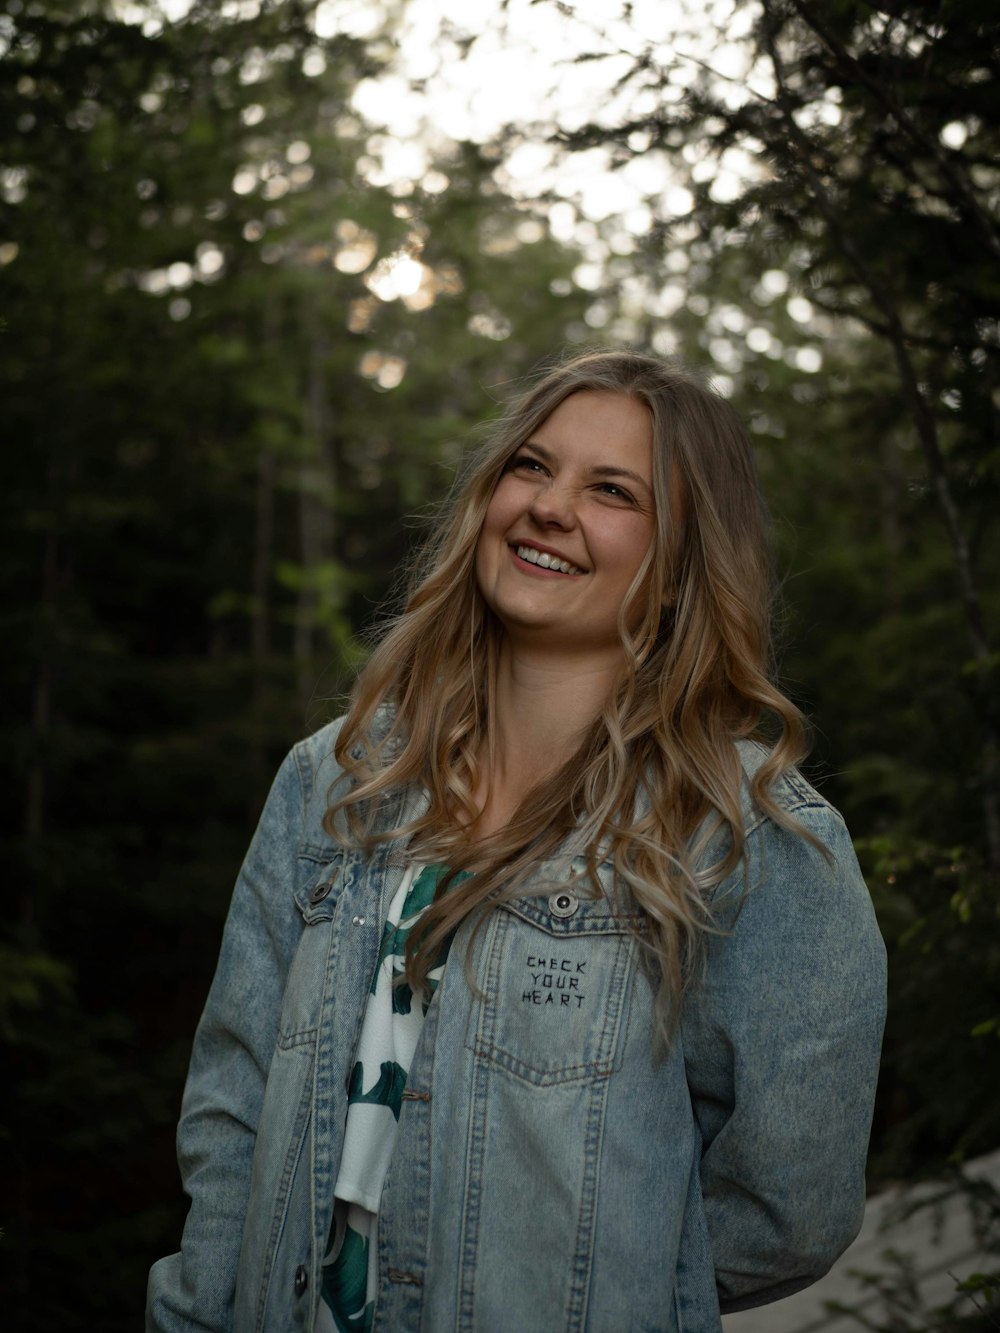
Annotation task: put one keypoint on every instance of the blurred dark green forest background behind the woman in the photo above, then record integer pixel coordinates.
(241, 347)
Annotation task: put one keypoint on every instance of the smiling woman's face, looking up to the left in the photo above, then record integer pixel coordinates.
(570, 525)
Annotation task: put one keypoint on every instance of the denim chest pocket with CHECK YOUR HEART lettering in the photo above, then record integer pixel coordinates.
(555, 975)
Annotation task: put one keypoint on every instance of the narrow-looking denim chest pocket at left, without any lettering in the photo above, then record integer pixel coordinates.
(317, 902)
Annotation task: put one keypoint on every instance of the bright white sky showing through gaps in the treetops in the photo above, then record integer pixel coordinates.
(519, 78)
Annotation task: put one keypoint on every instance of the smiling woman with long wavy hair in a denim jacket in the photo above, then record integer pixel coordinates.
(550, 996)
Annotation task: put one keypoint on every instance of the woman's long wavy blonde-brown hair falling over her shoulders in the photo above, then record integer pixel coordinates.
(658, 775)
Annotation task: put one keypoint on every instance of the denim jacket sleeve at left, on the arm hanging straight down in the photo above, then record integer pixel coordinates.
(233, 1052)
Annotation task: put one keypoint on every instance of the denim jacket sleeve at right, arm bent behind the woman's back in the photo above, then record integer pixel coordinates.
(782, 1044)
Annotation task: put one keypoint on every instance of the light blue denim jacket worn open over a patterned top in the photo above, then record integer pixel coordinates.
(550, 1174)
